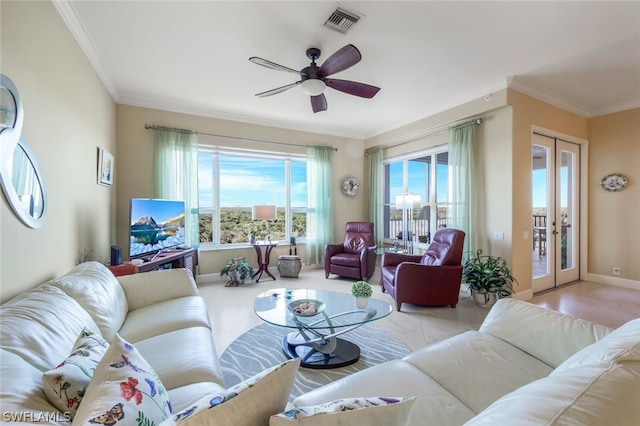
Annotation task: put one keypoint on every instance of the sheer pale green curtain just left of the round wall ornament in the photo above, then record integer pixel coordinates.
(319, 203)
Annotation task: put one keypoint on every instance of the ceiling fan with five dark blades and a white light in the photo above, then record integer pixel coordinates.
(313, 79)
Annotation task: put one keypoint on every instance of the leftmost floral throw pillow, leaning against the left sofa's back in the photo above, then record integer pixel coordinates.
(66, 384)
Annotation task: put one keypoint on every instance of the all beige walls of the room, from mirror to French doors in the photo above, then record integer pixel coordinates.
(69, 114)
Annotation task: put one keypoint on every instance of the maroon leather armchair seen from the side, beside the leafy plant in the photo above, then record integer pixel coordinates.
(431, 279)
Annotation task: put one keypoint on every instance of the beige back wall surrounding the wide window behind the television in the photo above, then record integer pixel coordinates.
(135, 161)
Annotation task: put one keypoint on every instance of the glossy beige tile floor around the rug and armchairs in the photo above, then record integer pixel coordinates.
(231, 308)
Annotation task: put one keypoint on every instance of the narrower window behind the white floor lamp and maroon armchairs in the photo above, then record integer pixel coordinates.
(416, 174)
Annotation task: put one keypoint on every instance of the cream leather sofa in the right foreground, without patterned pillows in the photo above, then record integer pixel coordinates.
(526, 365)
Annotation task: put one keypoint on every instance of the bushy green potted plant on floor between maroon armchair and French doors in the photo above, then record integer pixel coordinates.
(488, 277)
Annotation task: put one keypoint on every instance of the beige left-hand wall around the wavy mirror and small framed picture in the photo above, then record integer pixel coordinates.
(68, 115)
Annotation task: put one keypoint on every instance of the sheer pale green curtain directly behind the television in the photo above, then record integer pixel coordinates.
(176, 174)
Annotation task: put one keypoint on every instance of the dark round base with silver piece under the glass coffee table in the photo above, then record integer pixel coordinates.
(331, 353)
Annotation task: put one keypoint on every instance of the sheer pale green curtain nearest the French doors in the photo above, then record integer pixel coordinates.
(462, 181)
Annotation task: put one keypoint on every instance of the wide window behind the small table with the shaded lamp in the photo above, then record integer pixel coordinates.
(232, 181)
